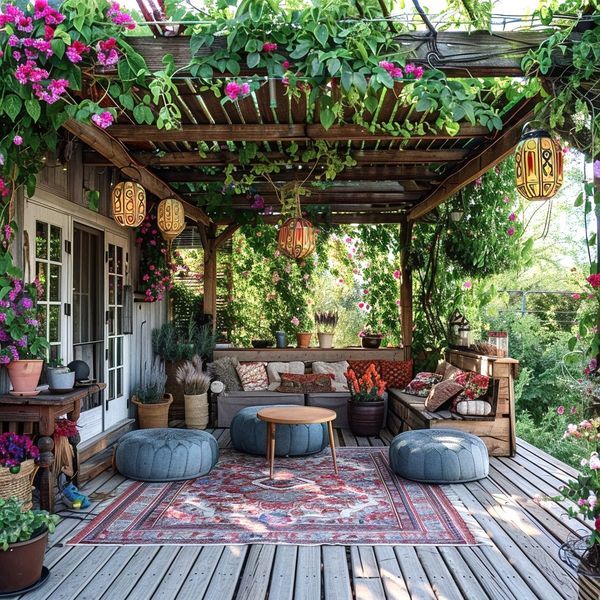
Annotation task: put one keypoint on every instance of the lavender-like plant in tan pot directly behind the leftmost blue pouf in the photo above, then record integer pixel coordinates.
(150, 398)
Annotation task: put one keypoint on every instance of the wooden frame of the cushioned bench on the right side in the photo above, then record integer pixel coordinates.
(408, 412)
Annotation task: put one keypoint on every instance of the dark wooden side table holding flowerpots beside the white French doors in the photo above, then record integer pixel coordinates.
(43, 410)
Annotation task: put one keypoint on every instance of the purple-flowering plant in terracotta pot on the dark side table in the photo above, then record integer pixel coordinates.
(22, 348)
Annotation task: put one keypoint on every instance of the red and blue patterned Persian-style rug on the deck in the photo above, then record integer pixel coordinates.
(305, 504)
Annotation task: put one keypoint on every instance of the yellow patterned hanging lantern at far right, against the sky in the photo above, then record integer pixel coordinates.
(538, 165)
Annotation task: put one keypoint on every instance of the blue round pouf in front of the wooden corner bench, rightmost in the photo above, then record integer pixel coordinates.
(439, 456)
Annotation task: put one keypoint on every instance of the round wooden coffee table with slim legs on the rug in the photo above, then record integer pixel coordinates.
(295, 415)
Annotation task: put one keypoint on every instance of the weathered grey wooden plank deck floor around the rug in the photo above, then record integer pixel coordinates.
(521, 564)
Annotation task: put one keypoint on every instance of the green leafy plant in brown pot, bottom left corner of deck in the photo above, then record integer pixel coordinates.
(23, 539)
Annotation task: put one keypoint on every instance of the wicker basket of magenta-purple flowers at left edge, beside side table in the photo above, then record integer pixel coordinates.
(17, 466)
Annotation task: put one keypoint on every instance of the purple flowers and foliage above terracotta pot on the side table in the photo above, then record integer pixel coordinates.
(19, 337)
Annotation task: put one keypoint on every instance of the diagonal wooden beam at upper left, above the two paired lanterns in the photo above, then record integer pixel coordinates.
(117, 154)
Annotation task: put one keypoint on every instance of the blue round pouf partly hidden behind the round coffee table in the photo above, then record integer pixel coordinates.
(249, 434)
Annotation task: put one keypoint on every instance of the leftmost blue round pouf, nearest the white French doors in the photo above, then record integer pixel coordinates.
(166, 454)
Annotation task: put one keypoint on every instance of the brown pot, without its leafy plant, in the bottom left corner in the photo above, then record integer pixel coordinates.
(21, 565)
